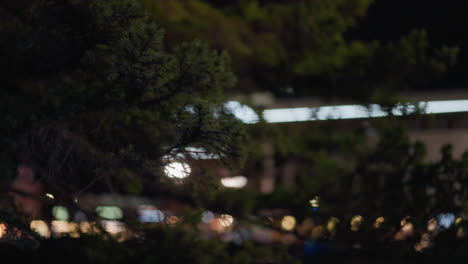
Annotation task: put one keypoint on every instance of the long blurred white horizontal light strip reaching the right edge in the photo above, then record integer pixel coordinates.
(359, 111)
